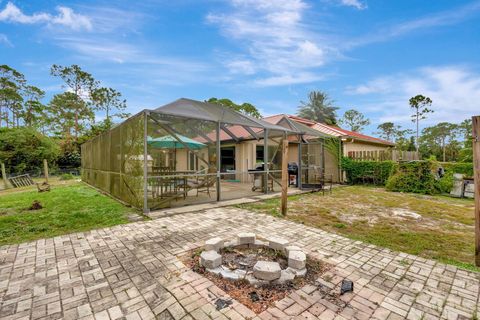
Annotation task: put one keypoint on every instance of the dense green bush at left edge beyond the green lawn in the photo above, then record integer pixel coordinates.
(23, 149)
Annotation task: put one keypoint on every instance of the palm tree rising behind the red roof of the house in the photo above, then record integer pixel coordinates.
(319, 108)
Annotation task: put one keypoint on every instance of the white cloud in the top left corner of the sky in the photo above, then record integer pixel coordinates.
(66, 17)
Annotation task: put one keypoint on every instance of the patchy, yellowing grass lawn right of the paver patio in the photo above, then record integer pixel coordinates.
(434, 227)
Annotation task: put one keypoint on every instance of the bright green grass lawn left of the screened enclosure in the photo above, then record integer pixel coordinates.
(70, 206)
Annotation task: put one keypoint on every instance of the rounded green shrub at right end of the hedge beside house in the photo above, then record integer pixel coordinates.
(416, 177)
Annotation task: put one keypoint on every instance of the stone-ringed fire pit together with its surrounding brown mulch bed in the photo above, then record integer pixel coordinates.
(255, 271)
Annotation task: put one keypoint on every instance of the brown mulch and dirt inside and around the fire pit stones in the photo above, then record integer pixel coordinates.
(256, 297)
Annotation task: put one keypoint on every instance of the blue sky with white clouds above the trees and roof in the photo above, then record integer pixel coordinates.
(368, 55)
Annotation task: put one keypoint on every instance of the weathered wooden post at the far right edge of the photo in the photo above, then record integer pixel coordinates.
(476, 175)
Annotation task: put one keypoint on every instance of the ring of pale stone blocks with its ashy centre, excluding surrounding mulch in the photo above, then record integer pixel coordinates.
(270, 261)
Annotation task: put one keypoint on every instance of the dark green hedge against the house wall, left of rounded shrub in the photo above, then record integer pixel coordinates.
(356, 170)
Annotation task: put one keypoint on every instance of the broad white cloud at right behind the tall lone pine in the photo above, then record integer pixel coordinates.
(455, 91)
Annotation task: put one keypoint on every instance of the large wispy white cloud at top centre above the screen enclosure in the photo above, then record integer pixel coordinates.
(275, 40)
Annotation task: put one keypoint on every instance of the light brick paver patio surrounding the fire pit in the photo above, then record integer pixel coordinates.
(132, 272)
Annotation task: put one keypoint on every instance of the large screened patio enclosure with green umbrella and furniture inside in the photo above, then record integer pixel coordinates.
(188, 152)
